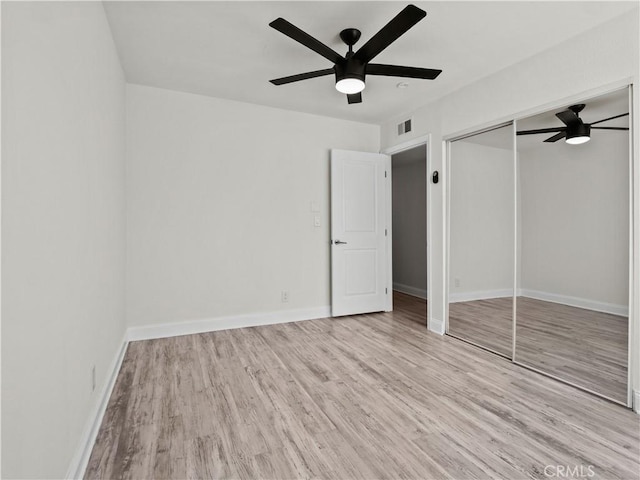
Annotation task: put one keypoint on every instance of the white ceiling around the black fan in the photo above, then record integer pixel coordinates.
(227, 49)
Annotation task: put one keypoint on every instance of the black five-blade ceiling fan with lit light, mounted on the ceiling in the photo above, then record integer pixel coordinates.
(350, 71)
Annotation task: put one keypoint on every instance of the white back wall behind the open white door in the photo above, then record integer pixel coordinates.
(219, 206)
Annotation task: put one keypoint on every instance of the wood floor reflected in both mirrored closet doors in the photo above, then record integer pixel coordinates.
(581, 346)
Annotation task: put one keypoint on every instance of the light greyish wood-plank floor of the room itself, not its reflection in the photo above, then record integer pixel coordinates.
(361, 397)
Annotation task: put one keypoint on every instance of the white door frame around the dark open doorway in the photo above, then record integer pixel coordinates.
(401, 147)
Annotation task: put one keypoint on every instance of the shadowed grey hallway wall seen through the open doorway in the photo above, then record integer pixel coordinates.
(409, 214)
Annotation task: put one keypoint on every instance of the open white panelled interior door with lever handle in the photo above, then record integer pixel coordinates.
(358, 232)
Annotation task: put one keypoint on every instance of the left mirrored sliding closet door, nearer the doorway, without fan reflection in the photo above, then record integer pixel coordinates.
(481, 239)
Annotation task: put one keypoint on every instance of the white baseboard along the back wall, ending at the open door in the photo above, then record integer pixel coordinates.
(225, 323)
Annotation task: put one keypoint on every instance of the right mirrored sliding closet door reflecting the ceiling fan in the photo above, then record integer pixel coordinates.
(573, 225)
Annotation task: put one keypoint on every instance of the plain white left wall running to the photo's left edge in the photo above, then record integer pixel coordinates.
(62, 227)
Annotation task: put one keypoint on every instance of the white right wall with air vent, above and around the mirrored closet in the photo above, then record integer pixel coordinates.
(606, 54)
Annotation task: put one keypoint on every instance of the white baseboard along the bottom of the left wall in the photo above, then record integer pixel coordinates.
(80, 460)
